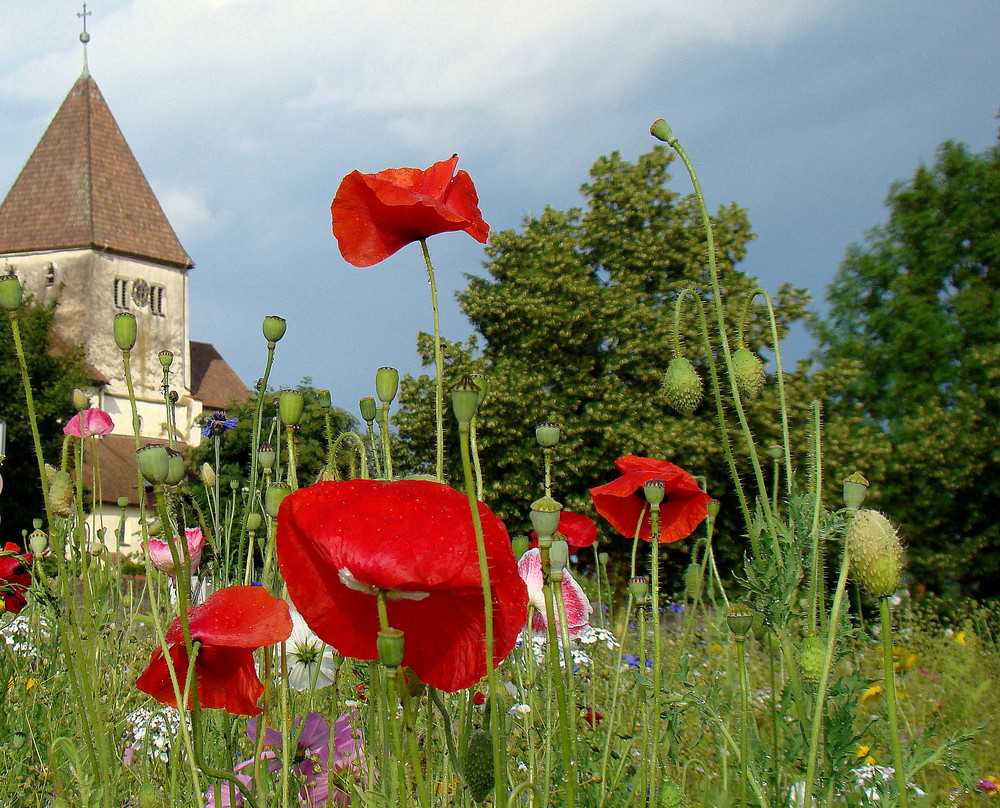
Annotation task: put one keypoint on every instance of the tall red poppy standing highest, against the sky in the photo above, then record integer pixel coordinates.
(374, 215)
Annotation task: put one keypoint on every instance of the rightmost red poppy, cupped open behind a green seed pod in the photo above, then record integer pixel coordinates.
(621, 501)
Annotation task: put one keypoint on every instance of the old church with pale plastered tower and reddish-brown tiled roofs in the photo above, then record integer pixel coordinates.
(82, 225)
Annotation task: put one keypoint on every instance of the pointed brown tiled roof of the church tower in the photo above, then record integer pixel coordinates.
(82, 188)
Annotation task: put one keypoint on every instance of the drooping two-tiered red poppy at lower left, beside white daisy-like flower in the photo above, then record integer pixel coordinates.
(230, 625)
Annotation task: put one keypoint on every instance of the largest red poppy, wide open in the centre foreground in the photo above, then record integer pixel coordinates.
(340, 543)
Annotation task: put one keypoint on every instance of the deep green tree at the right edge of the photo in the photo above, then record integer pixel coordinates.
(916, 310)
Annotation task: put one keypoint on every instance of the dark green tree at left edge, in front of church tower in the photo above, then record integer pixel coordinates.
(54, 369)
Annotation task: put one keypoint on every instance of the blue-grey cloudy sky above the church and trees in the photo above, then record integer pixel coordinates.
(246, 114)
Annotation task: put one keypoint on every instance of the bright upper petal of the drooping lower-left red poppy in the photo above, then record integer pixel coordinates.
(240, 617)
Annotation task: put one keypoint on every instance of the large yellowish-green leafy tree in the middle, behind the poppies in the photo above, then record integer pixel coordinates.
(575, 320)
